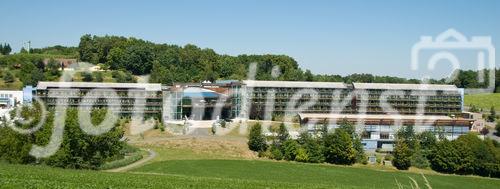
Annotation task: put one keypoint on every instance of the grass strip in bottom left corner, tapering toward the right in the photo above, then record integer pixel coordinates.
(23, 176)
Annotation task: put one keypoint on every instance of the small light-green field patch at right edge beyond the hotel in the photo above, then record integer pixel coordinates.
(484, 101)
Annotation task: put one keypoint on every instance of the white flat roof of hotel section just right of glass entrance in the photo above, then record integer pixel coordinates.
(295, 84)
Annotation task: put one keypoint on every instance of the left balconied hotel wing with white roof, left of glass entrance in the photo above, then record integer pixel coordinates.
(125, 99)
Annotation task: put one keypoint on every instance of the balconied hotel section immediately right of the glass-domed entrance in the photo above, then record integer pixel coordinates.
(264, 99)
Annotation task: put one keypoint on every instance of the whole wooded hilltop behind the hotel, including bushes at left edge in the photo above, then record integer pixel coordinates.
(168, 63)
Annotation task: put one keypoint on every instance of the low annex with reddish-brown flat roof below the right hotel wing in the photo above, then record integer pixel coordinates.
(379, 131)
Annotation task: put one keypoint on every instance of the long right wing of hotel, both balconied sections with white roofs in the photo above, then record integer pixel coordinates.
(261, 98)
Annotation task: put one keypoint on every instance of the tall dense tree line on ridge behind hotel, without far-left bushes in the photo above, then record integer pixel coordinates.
(171, 63)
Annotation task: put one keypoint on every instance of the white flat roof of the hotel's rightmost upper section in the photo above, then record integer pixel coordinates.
(396, 86)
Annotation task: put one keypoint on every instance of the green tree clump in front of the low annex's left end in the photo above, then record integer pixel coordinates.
(343, 146)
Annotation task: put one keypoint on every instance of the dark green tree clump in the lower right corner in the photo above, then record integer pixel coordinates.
(466, 155)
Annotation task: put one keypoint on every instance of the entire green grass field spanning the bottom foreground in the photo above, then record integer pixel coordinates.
(227, 174)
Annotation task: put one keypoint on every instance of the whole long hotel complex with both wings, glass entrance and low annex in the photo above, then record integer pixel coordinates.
(378, 108)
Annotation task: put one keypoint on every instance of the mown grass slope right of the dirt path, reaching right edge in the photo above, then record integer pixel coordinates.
(309, 174)
